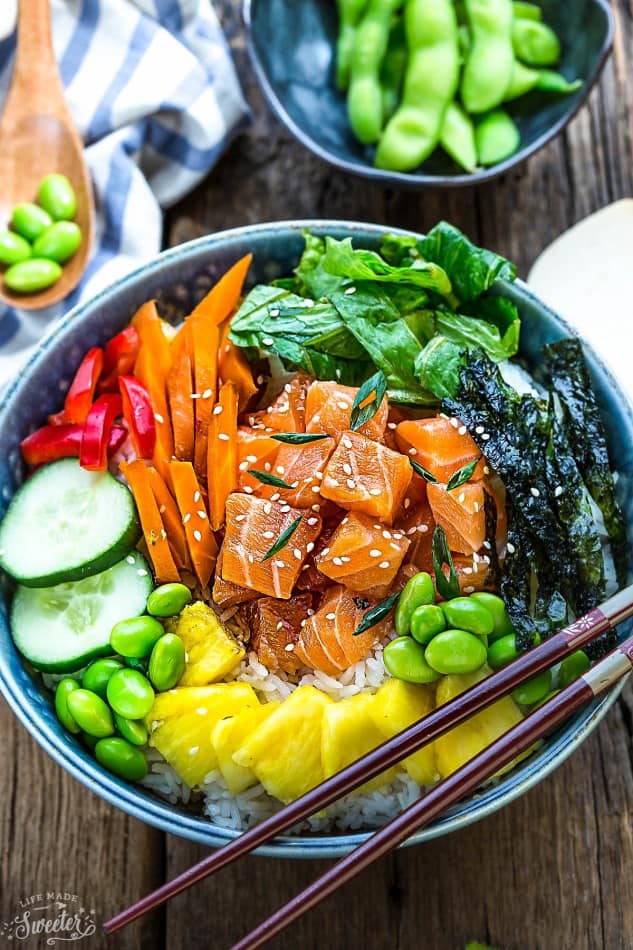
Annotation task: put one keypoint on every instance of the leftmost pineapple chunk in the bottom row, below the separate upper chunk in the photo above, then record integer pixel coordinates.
(181, 721)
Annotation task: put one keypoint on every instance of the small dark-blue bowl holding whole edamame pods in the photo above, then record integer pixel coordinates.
(292, 50)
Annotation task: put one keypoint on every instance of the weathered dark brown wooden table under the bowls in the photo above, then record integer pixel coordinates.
(554, 871)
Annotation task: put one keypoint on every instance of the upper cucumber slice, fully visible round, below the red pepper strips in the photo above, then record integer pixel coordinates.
(66, 523)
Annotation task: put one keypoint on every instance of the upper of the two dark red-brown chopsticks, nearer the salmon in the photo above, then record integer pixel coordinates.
(598, 621)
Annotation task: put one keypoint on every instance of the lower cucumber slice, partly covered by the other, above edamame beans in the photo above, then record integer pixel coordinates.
(59, 629)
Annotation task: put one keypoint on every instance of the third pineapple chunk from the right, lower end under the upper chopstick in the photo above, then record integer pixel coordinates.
(349, 733)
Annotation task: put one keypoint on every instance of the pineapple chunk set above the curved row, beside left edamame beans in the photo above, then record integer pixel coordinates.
(212, 651)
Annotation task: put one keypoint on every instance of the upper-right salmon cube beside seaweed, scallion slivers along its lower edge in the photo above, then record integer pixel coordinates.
(442, 446)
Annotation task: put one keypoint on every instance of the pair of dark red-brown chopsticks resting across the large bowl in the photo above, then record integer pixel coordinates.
(521, 737)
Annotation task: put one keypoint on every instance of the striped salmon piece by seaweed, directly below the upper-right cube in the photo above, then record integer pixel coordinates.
(461, 514)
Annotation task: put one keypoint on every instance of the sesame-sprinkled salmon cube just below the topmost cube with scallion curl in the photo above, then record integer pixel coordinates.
(365, 476)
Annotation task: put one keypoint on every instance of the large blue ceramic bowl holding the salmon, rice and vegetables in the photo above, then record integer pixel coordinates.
(178, 278)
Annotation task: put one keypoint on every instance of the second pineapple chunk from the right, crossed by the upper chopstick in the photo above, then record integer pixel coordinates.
(398, 705)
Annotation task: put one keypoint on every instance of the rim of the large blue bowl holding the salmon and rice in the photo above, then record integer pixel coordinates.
(138, 801)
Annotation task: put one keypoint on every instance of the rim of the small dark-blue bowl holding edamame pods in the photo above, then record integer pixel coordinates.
(410, 180)
